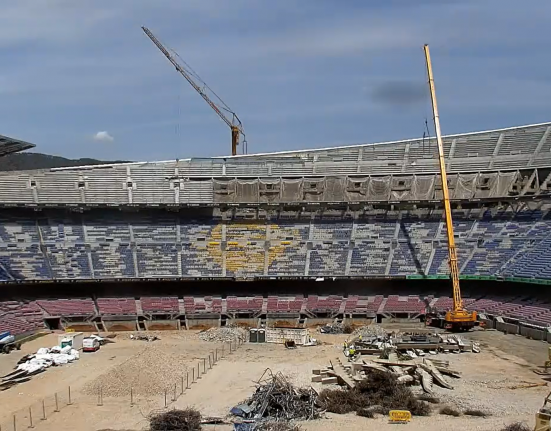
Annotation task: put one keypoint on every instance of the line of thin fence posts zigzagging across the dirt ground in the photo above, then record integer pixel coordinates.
(44, 409)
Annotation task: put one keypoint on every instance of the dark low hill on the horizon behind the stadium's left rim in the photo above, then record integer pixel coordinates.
(25, 161)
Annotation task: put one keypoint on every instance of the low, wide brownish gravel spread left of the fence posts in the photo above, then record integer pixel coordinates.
(147, 373)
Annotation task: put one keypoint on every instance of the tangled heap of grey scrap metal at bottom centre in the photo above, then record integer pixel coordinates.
(276, 399)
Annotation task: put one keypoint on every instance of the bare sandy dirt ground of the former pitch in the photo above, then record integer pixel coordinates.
(489, 382)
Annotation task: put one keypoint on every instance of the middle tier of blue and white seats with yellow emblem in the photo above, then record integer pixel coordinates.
(111, 244)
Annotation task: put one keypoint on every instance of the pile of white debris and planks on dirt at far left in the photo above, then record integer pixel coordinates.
(30, 365)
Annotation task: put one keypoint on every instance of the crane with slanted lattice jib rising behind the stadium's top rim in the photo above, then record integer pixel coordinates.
(234, 124)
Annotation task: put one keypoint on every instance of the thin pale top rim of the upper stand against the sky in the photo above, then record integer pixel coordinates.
(289, 152)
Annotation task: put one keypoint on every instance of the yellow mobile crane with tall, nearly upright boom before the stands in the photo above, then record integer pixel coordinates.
(458, 318)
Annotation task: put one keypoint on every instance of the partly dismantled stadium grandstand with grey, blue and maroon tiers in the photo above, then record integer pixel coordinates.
(306, 236)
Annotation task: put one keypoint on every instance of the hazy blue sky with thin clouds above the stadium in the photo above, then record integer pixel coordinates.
(300, 73)
